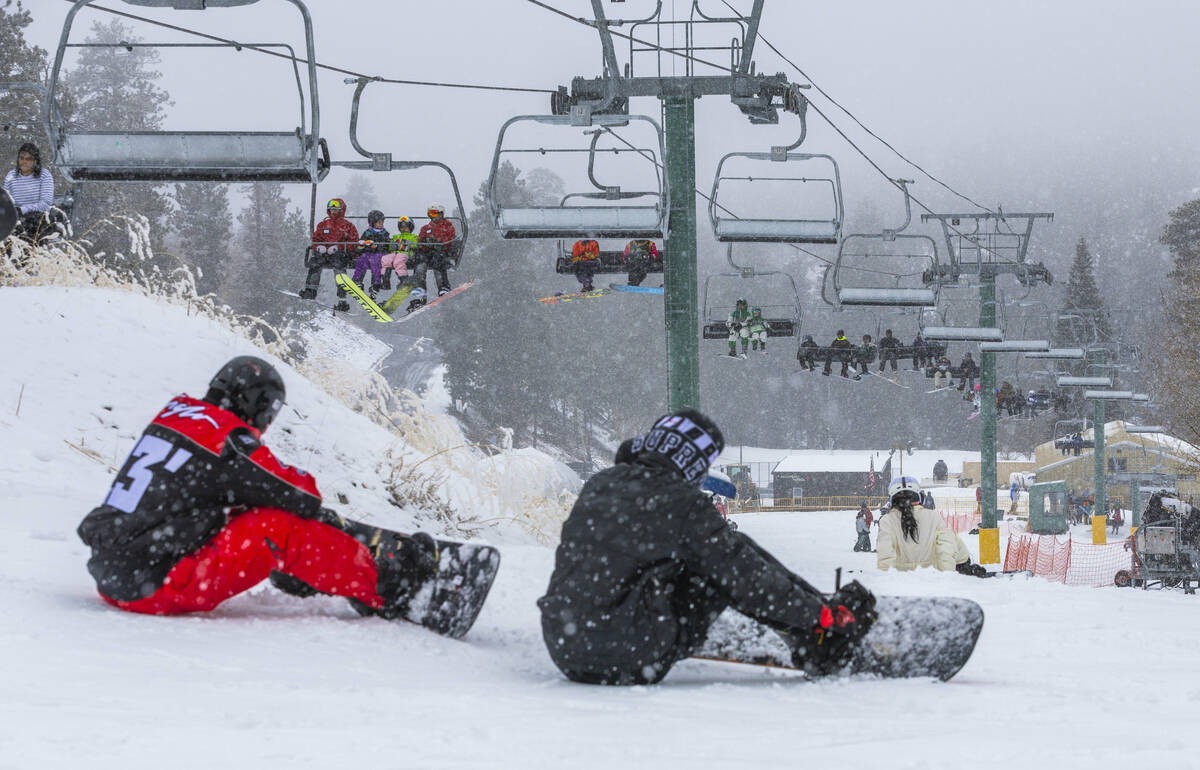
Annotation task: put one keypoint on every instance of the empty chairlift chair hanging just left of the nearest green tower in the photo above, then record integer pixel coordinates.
(621, 213)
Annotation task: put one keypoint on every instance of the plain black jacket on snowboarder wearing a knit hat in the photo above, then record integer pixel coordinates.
(635, 546)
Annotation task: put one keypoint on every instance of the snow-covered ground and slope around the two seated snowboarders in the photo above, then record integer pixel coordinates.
(1063, 677)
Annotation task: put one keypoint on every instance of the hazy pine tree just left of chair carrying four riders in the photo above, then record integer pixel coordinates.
(269, 249)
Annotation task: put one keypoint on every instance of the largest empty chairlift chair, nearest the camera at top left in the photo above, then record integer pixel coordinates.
(297, 155)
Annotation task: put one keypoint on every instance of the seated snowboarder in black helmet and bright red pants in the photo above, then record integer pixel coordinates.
(202, 512)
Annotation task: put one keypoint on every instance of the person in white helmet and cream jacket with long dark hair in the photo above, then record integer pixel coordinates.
(915, 537)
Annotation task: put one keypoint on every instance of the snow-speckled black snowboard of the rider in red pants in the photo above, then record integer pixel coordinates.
(452, 600)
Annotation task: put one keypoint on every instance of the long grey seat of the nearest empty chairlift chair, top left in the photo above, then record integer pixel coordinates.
(154, 157)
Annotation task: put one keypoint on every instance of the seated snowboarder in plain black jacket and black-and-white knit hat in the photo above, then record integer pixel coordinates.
(646, 566)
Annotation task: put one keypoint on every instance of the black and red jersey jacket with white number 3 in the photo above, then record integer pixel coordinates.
(193, 468)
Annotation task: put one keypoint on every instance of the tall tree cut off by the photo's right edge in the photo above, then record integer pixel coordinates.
(1175, 356)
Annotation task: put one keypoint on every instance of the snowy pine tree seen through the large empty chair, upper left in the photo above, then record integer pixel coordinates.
(117, 89)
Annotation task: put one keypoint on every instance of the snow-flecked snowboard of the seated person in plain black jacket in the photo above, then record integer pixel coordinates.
(915, 637)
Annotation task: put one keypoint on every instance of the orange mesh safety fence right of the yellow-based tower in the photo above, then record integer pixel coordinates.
(1067, 561)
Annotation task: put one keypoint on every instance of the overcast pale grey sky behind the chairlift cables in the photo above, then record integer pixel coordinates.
(1072, 106)
